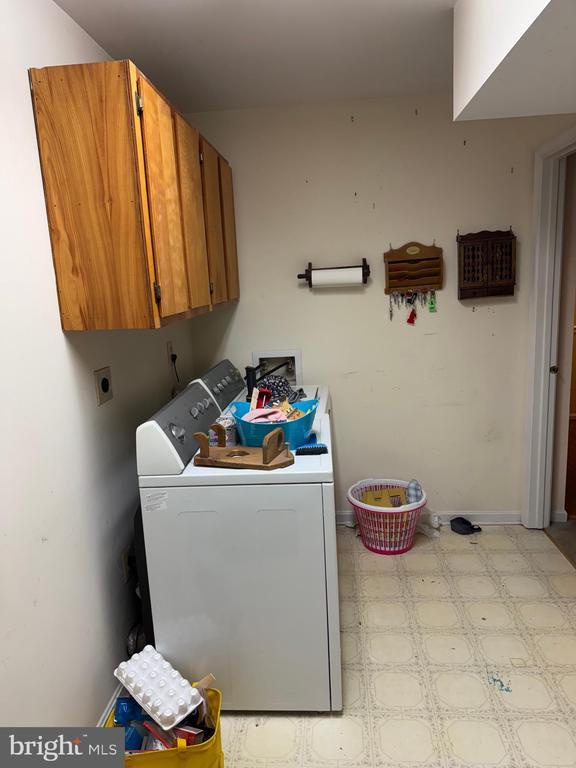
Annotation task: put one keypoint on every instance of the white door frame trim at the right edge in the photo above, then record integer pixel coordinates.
(549, 182)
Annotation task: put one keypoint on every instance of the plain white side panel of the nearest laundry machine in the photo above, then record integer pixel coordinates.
(238, 588)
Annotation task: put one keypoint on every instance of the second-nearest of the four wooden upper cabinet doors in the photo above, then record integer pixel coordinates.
(190, 176)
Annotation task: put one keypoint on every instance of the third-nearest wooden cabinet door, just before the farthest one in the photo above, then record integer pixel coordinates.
(213, 219)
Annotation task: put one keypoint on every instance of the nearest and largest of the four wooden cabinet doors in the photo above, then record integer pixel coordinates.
(164, 200)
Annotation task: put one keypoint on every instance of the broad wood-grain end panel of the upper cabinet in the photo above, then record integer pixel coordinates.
(85, 128)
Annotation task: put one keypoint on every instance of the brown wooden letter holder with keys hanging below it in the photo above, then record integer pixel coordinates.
(414, 268)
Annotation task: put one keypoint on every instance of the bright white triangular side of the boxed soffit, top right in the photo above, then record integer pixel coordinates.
(484, 33)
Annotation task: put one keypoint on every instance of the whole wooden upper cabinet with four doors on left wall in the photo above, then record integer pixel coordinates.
(138, 231)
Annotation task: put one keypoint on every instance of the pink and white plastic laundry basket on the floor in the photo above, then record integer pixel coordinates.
(385, 530)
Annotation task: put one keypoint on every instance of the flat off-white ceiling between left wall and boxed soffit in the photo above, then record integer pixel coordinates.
(220, 54)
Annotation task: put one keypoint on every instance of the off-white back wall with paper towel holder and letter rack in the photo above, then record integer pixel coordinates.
(443, 401)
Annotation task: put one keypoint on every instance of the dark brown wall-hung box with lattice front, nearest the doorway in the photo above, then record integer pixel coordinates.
(486, 264)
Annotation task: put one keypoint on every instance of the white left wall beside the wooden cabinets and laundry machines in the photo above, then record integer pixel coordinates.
(67, 467)
